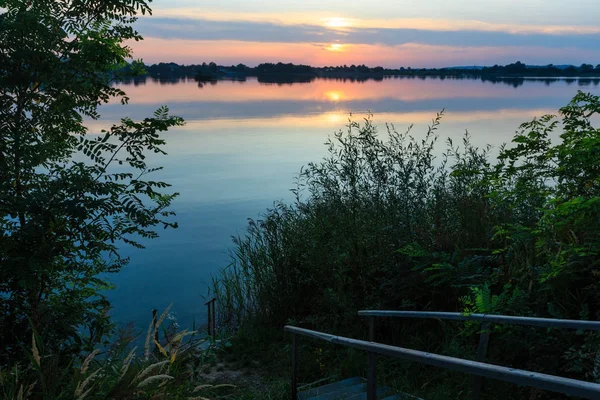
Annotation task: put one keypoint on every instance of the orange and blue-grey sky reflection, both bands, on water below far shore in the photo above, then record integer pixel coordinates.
(252, 99)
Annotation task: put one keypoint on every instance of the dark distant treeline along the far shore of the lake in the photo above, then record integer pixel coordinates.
(281, 73)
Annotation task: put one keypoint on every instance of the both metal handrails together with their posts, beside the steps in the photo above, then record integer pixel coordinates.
(479, 369)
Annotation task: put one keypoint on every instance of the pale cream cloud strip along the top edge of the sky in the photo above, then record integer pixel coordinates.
(526, 13)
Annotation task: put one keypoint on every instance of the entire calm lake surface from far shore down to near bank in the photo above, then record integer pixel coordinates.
(244, 142)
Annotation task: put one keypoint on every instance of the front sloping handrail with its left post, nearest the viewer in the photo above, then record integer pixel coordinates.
(570, 387)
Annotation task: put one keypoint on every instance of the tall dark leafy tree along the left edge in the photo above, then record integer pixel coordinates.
(68, 199)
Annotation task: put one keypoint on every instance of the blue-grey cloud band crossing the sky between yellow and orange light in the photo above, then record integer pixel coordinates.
(473, 35)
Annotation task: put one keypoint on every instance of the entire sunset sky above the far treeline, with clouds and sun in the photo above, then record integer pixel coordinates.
(390, 33)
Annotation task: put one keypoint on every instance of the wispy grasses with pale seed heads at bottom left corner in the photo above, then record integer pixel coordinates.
(170, 370)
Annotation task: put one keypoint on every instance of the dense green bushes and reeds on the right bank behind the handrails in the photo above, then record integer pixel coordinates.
(385, 224)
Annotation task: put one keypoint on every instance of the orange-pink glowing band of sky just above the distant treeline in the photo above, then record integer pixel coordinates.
(228, 52)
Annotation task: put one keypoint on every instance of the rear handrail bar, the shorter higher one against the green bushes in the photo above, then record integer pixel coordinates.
(502, 319)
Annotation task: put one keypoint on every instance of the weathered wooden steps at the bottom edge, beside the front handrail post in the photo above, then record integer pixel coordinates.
(347, 389)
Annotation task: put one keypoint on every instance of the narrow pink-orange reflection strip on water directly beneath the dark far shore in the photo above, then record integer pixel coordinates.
(394, 89)
